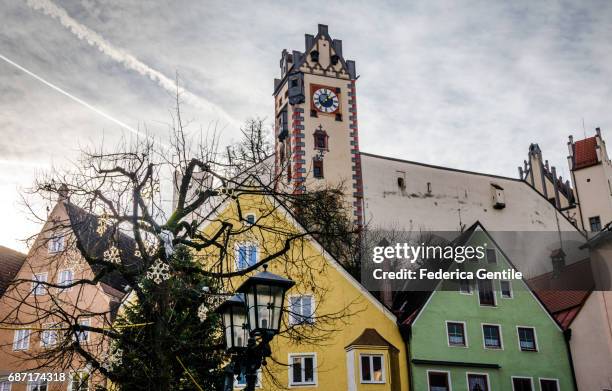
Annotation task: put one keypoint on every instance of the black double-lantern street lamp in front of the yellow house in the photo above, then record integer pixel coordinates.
(251, 319)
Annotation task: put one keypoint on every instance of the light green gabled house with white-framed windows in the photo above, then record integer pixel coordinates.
(484, 335)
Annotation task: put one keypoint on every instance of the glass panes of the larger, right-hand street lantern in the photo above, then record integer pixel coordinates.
(265, 304)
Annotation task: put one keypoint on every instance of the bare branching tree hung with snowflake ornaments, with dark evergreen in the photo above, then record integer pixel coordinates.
(160, 266)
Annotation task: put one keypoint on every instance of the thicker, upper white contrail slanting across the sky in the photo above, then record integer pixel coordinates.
(129, 61)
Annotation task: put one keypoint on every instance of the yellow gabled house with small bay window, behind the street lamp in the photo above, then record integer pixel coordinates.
(335, 334)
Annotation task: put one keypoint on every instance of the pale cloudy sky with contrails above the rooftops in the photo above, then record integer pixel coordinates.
(465, 84)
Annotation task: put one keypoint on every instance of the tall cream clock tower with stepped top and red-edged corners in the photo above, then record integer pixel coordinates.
(316, 134)
